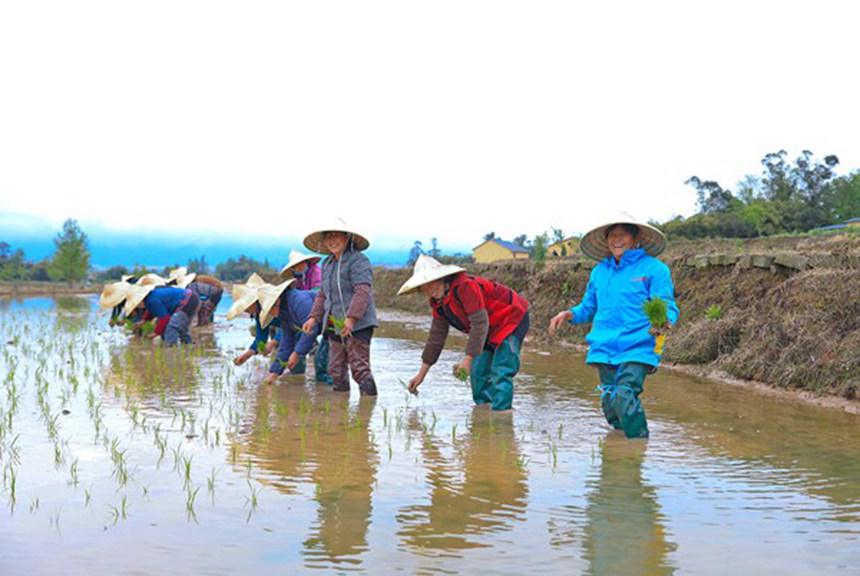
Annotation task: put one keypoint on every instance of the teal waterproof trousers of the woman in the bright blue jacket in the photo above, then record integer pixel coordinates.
(621, 386)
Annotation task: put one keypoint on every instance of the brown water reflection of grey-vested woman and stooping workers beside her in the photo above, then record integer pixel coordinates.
(304, 435)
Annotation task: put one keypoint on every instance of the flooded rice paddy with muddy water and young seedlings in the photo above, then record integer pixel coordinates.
(118, 457)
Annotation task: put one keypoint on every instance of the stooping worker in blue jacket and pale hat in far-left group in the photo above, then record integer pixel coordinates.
(173, 307)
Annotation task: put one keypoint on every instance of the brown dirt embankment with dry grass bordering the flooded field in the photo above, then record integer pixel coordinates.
(782, 313)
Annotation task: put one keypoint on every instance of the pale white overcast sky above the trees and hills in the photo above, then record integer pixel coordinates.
(409, 119)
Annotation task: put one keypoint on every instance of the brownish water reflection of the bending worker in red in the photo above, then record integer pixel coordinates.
(480, 494)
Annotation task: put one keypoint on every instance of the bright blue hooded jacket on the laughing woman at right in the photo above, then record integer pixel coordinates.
(613, 302)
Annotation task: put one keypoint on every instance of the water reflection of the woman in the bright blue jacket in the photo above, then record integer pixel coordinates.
(624, 534)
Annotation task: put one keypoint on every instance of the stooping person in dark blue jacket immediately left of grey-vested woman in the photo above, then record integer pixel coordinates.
(292, 307)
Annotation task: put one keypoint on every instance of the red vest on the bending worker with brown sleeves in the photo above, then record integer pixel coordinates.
(467, 294)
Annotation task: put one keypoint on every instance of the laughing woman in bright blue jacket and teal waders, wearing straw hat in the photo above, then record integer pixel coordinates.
(627, 281)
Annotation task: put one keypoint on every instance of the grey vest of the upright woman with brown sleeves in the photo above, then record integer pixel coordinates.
(339, 279)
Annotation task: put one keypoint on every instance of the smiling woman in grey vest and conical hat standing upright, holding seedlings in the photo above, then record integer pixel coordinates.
(346, 293)
